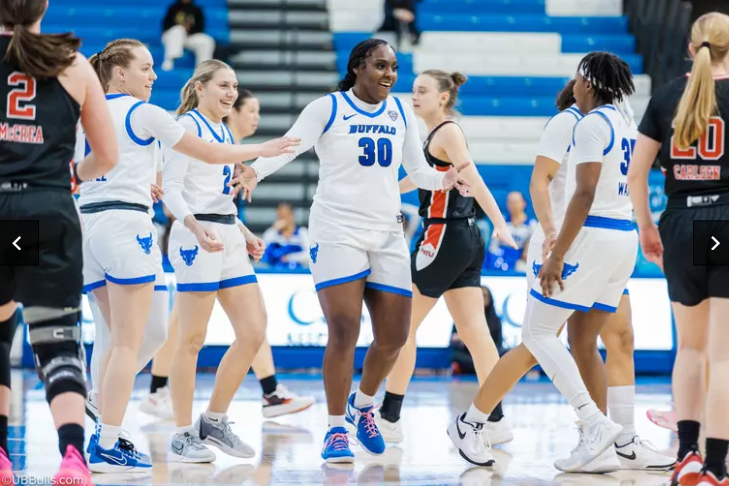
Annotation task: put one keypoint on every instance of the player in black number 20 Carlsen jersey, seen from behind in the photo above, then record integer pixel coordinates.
(697, 185)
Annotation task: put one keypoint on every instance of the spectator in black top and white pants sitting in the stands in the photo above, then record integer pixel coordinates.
(183, 28)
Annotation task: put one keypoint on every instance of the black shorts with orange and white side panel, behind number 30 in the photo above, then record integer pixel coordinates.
(448, 256)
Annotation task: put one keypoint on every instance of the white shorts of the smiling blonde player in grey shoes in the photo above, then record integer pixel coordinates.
(196, 270)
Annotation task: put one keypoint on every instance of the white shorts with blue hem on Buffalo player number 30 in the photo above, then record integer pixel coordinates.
(340, 254)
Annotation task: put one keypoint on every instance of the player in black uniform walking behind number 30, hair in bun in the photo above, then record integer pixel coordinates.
(448, 257)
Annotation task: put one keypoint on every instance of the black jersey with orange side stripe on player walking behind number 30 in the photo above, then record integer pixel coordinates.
(440, 205)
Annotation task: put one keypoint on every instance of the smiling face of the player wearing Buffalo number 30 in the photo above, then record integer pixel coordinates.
(376, 79)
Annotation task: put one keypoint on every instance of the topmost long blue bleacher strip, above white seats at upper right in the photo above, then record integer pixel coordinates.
(522, 23)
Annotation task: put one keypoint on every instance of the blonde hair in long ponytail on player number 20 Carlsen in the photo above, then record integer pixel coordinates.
(710, 40)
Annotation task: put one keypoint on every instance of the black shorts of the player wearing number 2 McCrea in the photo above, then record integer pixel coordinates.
(57, 281)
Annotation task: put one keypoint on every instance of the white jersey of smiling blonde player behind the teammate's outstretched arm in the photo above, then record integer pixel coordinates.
(205, 186)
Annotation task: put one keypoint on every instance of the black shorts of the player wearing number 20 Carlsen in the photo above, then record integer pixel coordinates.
(689, 284)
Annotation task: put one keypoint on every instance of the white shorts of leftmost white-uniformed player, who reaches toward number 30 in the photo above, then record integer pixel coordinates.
(120, 246)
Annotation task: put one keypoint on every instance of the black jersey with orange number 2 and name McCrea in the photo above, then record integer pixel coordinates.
(37, 129)
